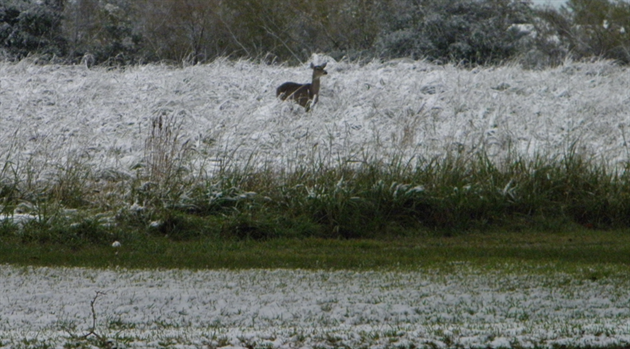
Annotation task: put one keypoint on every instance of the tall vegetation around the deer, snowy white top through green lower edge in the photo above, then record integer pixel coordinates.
(209, 150)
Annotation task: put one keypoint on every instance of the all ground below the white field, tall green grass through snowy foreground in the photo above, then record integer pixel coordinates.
(456, 255)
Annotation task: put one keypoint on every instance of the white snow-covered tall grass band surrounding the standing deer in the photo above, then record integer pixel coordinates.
(56, 116)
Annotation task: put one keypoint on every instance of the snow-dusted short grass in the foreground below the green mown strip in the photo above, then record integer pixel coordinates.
(465, 307)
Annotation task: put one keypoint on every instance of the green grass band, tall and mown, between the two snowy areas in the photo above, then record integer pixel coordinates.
(567, 210)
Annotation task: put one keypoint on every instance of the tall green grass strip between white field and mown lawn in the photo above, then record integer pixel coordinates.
(456, 193)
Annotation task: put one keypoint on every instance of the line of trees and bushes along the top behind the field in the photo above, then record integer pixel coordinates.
(468, 32)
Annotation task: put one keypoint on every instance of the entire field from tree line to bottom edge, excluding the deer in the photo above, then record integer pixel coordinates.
(407, 171)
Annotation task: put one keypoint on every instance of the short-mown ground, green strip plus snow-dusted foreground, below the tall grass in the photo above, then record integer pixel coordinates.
(563, 289)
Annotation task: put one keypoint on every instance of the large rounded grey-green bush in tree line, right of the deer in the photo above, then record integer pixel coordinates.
(462, 31)
